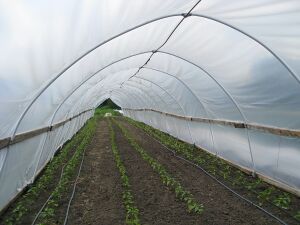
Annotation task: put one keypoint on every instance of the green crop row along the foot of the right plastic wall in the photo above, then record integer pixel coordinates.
(264, 193)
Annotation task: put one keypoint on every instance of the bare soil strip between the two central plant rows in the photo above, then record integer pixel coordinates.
(156, 203)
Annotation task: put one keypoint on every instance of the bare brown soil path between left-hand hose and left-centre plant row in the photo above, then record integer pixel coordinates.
(98, 198)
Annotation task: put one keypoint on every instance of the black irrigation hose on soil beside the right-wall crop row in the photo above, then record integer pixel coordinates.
(218, 181)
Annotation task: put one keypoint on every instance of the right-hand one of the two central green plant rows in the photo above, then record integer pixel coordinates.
(167, 179)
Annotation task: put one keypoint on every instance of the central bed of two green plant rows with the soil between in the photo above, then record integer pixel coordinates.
(158, 197)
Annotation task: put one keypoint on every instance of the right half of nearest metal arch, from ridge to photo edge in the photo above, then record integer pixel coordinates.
(282, 62)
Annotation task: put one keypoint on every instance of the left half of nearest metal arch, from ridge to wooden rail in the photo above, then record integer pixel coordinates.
(81, 57)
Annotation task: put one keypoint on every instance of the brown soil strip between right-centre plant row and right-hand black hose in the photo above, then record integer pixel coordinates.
(221, 206)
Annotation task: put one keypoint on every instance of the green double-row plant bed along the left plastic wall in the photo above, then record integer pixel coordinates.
(54, 180)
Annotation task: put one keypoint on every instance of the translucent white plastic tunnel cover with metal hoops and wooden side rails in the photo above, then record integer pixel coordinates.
(224, 76)
